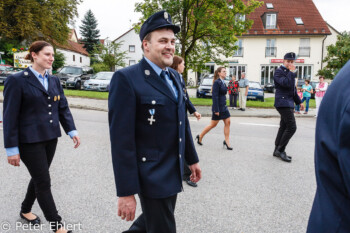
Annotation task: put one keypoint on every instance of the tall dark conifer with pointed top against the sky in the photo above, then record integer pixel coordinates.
(89, 31)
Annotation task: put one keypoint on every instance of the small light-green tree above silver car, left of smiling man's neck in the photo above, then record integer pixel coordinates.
(111, 55)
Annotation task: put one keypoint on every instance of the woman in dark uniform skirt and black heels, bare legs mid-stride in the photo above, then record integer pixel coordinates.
(219, 108)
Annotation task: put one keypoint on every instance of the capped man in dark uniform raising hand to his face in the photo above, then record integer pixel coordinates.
(285, 97)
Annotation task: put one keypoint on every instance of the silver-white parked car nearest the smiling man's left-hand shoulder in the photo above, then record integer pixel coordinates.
(99, 81)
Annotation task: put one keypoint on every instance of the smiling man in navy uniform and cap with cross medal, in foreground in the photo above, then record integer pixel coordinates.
(150, 132)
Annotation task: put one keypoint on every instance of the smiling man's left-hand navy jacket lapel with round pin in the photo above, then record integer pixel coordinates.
(152, 78)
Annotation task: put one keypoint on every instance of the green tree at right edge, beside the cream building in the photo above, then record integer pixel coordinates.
(337, 56)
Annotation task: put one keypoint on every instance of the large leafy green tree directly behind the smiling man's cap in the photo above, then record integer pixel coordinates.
(208, 27)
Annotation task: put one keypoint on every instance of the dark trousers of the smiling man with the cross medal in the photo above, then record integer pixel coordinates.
(157, 216)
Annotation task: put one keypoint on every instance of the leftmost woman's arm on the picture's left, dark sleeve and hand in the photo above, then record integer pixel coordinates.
(12, 107)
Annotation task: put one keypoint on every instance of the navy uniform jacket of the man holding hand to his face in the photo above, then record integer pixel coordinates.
(286, 93)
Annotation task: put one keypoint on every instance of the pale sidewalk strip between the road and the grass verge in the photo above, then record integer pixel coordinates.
(102, 105)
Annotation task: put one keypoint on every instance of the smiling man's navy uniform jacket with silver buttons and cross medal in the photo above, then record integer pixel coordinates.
(148, 156)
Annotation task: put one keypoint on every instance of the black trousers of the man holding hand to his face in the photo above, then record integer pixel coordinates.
(287, 128)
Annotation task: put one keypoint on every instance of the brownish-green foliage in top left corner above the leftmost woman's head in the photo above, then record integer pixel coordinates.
(30, 20)
